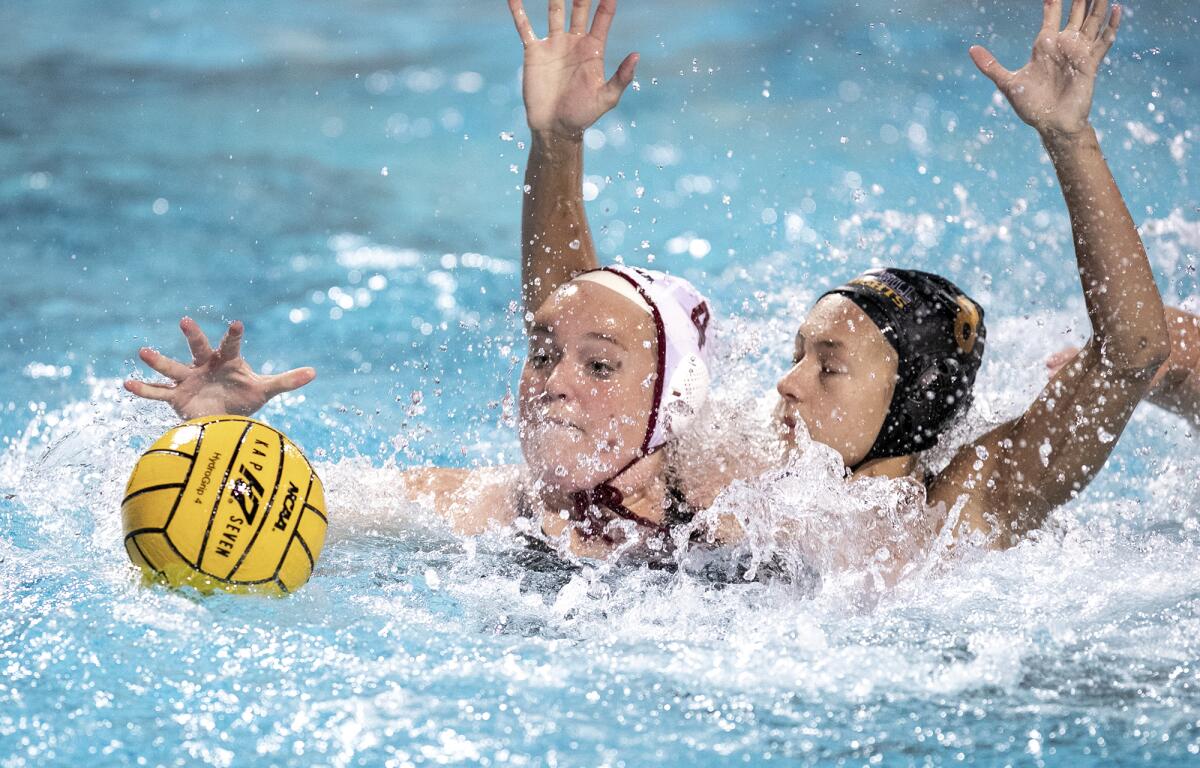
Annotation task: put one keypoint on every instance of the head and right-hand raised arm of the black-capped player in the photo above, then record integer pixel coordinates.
(884, 364)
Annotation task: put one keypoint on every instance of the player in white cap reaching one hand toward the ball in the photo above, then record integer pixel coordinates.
(617, 367)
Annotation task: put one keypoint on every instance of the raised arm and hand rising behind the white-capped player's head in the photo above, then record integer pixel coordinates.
(565, 93)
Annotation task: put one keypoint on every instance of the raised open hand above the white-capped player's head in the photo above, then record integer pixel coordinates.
(565, 82)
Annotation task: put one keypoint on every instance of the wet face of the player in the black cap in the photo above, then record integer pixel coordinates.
(842, 380)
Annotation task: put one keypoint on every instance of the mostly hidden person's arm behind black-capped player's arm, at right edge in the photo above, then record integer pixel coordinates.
(1177, 387)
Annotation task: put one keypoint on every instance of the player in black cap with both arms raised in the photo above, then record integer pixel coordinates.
(883, 365)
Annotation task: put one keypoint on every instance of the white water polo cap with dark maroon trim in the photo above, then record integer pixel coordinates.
(682, 319)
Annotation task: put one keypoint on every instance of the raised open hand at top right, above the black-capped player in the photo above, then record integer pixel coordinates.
(1053, 93)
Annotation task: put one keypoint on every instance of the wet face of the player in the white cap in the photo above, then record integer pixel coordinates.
(587, 387)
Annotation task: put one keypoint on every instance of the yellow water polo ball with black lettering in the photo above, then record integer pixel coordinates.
(225, 503)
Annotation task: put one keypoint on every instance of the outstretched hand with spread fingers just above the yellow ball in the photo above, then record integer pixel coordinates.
(218, 382)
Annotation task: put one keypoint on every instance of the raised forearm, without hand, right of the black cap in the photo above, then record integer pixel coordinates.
(1124, 304)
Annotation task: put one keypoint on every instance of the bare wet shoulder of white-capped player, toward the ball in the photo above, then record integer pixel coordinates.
(471, 501)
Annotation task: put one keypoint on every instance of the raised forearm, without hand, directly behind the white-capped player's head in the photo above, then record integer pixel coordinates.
(556, 243)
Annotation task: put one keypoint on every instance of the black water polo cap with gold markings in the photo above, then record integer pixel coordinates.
(938, 333)
